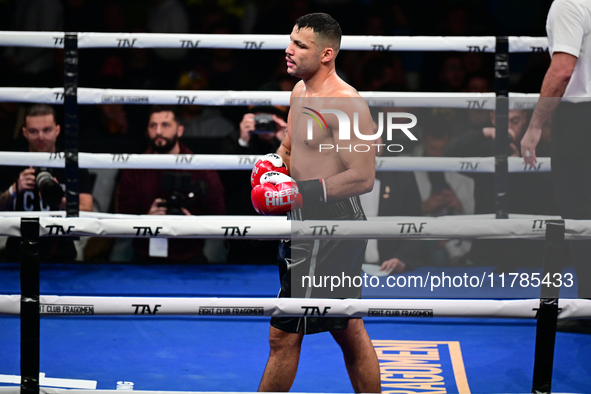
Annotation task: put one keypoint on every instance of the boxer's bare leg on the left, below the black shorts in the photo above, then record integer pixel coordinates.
(283, 361)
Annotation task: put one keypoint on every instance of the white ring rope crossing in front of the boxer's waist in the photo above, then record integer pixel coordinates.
(253, 227)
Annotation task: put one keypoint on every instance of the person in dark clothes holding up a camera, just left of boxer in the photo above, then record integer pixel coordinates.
(250, 141)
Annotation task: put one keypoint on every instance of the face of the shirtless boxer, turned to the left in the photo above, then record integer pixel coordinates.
(302, 53)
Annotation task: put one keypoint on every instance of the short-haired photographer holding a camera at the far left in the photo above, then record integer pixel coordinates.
(41, 189)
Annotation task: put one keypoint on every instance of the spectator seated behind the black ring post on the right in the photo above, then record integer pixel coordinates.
(528, 193)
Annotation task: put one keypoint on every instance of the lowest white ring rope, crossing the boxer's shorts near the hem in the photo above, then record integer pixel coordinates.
(72, 305)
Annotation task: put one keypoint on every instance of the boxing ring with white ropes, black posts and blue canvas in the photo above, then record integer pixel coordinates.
(205, 327)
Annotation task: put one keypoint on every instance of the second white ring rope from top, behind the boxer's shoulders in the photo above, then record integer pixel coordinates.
(484, 101)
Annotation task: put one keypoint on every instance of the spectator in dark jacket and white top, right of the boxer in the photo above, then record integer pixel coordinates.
(443, 193)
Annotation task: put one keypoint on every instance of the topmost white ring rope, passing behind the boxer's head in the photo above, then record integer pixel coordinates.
(268, 41)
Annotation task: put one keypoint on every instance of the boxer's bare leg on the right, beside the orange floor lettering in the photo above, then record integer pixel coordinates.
(360, 357)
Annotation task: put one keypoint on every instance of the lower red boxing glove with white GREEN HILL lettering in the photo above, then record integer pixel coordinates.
(277, 194)
